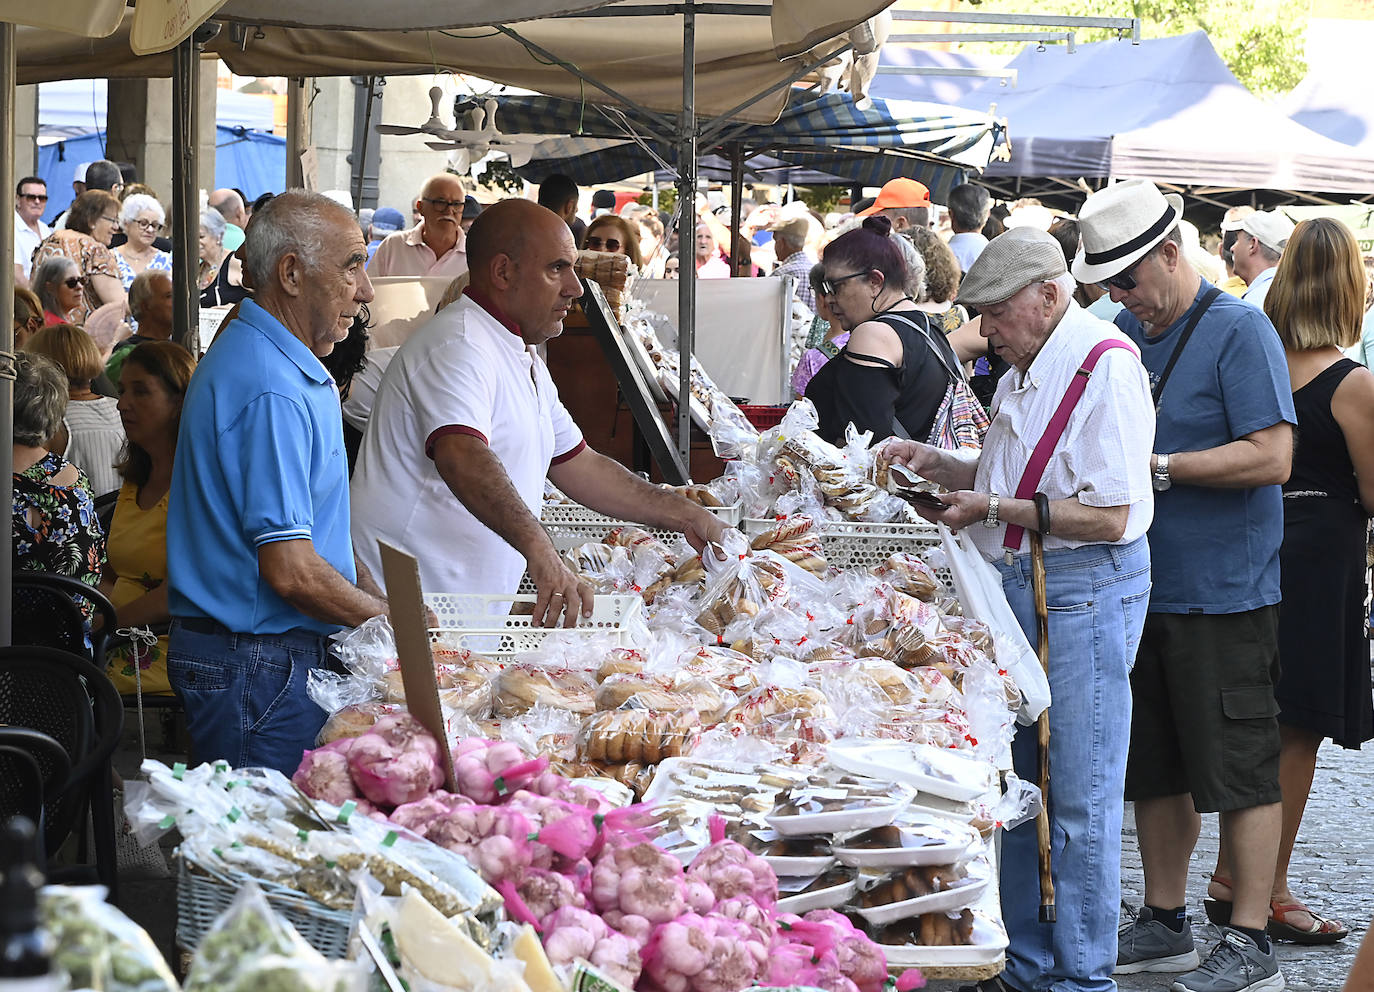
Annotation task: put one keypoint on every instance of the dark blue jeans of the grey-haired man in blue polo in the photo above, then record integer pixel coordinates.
(245, 693)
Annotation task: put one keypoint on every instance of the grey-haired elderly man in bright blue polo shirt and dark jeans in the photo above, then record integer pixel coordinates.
(260, 565)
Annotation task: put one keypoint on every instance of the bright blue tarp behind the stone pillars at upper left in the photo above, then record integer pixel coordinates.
(247, 160)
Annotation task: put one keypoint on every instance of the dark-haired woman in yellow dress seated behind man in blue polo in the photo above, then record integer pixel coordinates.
(153, 383)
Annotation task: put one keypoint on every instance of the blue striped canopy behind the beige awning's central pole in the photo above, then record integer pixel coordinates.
(828, 137)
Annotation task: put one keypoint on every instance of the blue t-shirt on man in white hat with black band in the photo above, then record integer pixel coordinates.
(1217, 550)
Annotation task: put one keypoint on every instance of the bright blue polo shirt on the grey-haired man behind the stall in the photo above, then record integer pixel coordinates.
(260, 460)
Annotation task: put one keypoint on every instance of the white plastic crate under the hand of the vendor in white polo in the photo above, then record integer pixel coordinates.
(487, 626)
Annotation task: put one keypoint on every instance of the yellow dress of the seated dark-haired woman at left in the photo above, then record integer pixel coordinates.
(138, 559)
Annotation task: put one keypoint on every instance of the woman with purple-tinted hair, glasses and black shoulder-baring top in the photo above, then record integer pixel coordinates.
(894, 373)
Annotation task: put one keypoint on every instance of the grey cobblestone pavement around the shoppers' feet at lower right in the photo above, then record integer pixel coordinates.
(1333, 870)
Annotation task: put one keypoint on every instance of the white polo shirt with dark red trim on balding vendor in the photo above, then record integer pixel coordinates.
(468, 372)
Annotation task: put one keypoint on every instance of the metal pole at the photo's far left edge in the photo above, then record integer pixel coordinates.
(9, 79)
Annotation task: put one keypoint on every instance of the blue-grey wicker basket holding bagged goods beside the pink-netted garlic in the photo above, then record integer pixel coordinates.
(204, 894)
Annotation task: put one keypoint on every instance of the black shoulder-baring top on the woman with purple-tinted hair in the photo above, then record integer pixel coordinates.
(873, 396)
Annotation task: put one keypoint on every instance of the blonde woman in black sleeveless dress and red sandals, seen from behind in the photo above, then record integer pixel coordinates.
(1317, 303)
